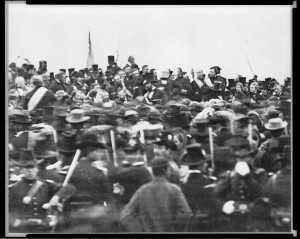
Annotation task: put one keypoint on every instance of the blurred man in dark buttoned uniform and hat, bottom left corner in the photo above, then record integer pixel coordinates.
(30, 198)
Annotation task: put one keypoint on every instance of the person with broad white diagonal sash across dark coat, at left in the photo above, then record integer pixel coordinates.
(39, 97)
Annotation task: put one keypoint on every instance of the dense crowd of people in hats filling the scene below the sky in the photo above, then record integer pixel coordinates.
(127, 151)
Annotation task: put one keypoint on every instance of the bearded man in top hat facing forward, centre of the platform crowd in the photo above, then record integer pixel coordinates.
(153, 93)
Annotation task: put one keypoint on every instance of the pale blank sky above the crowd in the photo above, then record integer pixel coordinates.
(160, 36)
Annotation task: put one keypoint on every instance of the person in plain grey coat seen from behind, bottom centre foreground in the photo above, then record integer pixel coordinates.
(159, 206)
